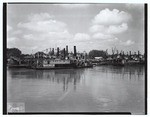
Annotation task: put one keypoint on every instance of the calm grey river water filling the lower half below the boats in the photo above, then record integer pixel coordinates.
(98, 89)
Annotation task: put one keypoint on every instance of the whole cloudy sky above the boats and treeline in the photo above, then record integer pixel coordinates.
(36, 27)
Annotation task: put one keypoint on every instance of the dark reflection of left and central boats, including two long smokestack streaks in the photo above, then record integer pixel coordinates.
(66, 77)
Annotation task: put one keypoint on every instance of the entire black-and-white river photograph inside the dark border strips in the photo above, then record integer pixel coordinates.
(76, 58)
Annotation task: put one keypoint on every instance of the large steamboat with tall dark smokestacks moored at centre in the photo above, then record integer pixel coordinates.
(60, 60)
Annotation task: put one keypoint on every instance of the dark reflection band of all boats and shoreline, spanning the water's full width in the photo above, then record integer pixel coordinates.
(71, 76)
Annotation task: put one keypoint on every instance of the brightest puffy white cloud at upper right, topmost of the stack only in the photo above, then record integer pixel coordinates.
(114, 17)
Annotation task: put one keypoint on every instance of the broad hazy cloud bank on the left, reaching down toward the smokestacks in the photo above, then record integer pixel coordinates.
(43, 28)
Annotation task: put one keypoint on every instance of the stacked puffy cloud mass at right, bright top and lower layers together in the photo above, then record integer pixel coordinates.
(107, 24)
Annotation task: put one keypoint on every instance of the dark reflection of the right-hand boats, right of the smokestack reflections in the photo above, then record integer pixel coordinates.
(124, 73)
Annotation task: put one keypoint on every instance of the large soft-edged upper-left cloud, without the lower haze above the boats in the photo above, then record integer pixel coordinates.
(44, 26)
